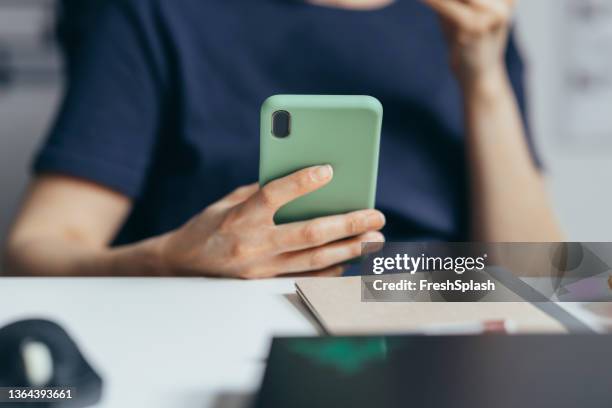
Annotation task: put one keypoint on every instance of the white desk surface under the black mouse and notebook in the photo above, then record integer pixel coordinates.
(171, 342)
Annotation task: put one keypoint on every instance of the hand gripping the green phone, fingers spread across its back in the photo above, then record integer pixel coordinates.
(237, 237)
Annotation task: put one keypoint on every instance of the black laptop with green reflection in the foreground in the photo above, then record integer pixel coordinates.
(543, 371)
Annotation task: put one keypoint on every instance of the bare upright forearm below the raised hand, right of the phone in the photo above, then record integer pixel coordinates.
(508, 197)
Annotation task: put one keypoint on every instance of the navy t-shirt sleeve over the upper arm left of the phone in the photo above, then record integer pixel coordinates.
(107, 125)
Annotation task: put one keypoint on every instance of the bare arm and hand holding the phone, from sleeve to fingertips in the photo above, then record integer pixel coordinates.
(233, 237)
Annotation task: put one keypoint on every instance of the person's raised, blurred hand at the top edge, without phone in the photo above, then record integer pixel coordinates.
(477, 31)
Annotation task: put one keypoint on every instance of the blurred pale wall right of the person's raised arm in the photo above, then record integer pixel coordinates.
(579, 173)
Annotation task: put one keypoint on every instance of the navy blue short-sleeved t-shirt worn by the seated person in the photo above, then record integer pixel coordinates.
(163, 104)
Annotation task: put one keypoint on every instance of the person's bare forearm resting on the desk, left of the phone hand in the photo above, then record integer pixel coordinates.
(58, 257)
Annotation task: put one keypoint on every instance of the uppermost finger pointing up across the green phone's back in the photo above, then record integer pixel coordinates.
(281, 191)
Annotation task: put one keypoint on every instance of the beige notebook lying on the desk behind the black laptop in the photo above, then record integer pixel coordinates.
(337, 305)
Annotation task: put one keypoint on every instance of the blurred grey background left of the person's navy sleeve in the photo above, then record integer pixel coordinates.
(29, 92)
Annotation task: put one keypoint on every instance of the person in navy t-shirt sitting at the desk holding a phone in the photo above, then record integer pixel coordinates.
(149, 168)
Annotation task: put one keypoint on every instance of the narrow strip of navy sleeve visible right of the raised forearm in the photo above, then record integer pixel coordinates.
(516, 71)
